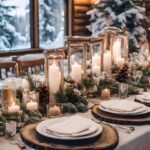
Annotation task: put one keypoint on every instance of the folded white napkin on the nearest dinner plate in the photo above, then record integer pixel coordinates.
(73, 125)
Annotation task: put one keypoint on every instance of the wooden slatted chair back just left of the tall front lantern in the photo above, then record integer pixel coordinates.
(30, 66)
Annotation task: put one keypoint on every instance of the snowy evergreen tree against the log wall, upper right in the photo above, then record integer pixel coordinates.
(123, 14)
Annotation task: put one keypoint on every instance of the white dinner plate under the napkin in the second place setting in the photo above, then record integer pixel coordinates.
(142, 110)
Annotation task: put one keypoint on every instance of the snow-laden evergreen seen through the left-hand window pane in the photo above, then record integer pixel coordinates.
(10, 35)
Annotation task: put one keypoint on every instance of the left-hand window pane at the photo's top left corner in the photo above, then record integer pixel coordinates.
(14, 24)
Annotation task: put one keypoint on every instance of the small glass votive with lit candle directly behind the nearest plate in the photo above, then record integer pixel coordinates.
(54, 110)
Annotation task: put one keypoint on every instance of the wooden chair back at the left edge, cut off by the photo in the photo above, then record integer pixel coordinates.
(8, 67)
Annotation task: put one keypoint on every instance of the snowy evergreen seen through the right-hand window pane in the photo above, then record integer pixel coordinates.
(49, 19)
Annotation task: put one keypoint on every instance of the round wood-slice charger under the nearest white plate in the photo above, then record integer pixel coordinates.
(107, 140)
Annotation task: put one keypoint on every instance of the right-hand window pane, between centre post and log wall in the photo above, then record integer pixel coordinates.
(51, 23)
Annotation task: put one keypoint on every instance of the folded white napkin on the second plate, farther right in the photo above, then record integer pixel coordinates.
(121, 105)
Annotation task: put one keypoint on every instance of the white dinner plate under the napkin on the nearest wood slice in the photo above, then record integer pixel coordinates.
(41, 128)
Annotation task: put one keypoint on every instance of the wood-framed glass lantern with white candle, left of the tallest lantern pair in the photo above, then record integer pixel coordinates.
(78, 53)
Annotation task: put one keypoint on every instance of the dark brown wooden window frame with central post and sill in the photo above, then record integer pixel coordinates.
(34, 31)
